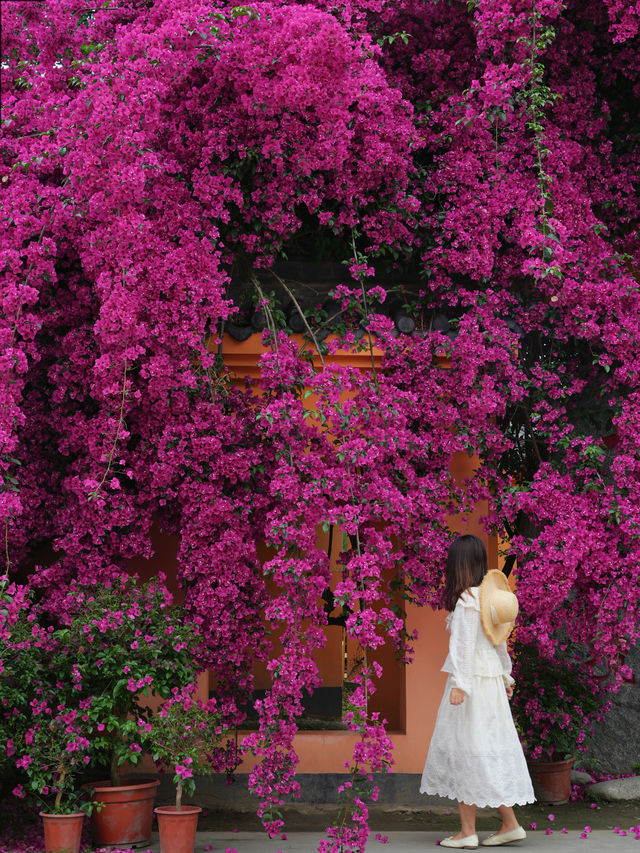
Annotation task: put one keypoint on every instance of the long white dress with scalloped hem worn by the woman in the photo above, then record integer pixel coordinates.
(475, 755)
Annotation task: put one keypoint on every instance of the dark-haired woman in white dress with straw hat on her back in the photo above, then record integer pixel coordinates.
(475, 756)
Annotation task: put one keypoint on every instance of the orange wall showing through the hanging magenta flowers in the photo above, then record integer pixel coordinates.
(408, 696)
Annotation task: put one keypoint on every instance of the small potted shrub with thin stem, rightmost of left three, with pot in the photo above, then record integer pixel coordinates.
(183, 734)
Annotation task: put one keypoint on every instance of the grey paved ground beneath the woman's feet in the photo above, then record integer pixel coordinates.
(408, 842)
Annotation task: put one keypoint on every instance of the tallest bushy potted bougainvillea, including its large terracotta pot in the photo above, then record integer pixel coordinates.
(129, 642)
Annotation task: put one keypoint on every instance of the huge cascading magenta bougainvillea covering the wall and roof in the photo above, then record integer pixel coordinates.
(487, 152)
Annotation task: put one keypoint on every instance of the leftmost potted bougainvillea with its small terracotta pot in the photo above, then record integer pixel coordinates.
(43, 720)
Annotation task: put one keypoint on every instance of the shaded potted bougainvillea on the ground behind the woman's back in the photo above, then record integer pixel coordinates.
(555, 704)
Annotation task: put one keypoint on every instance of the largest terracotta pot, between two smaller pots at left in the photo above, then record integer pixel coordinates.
(127, 814)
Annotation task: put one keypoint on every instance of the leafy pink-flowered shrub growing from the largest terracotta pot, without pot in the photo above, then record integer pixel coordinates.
(127, 641)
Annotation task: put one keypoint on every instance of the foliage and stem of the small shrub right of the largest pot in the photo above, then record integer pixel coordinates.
(183, 734)
